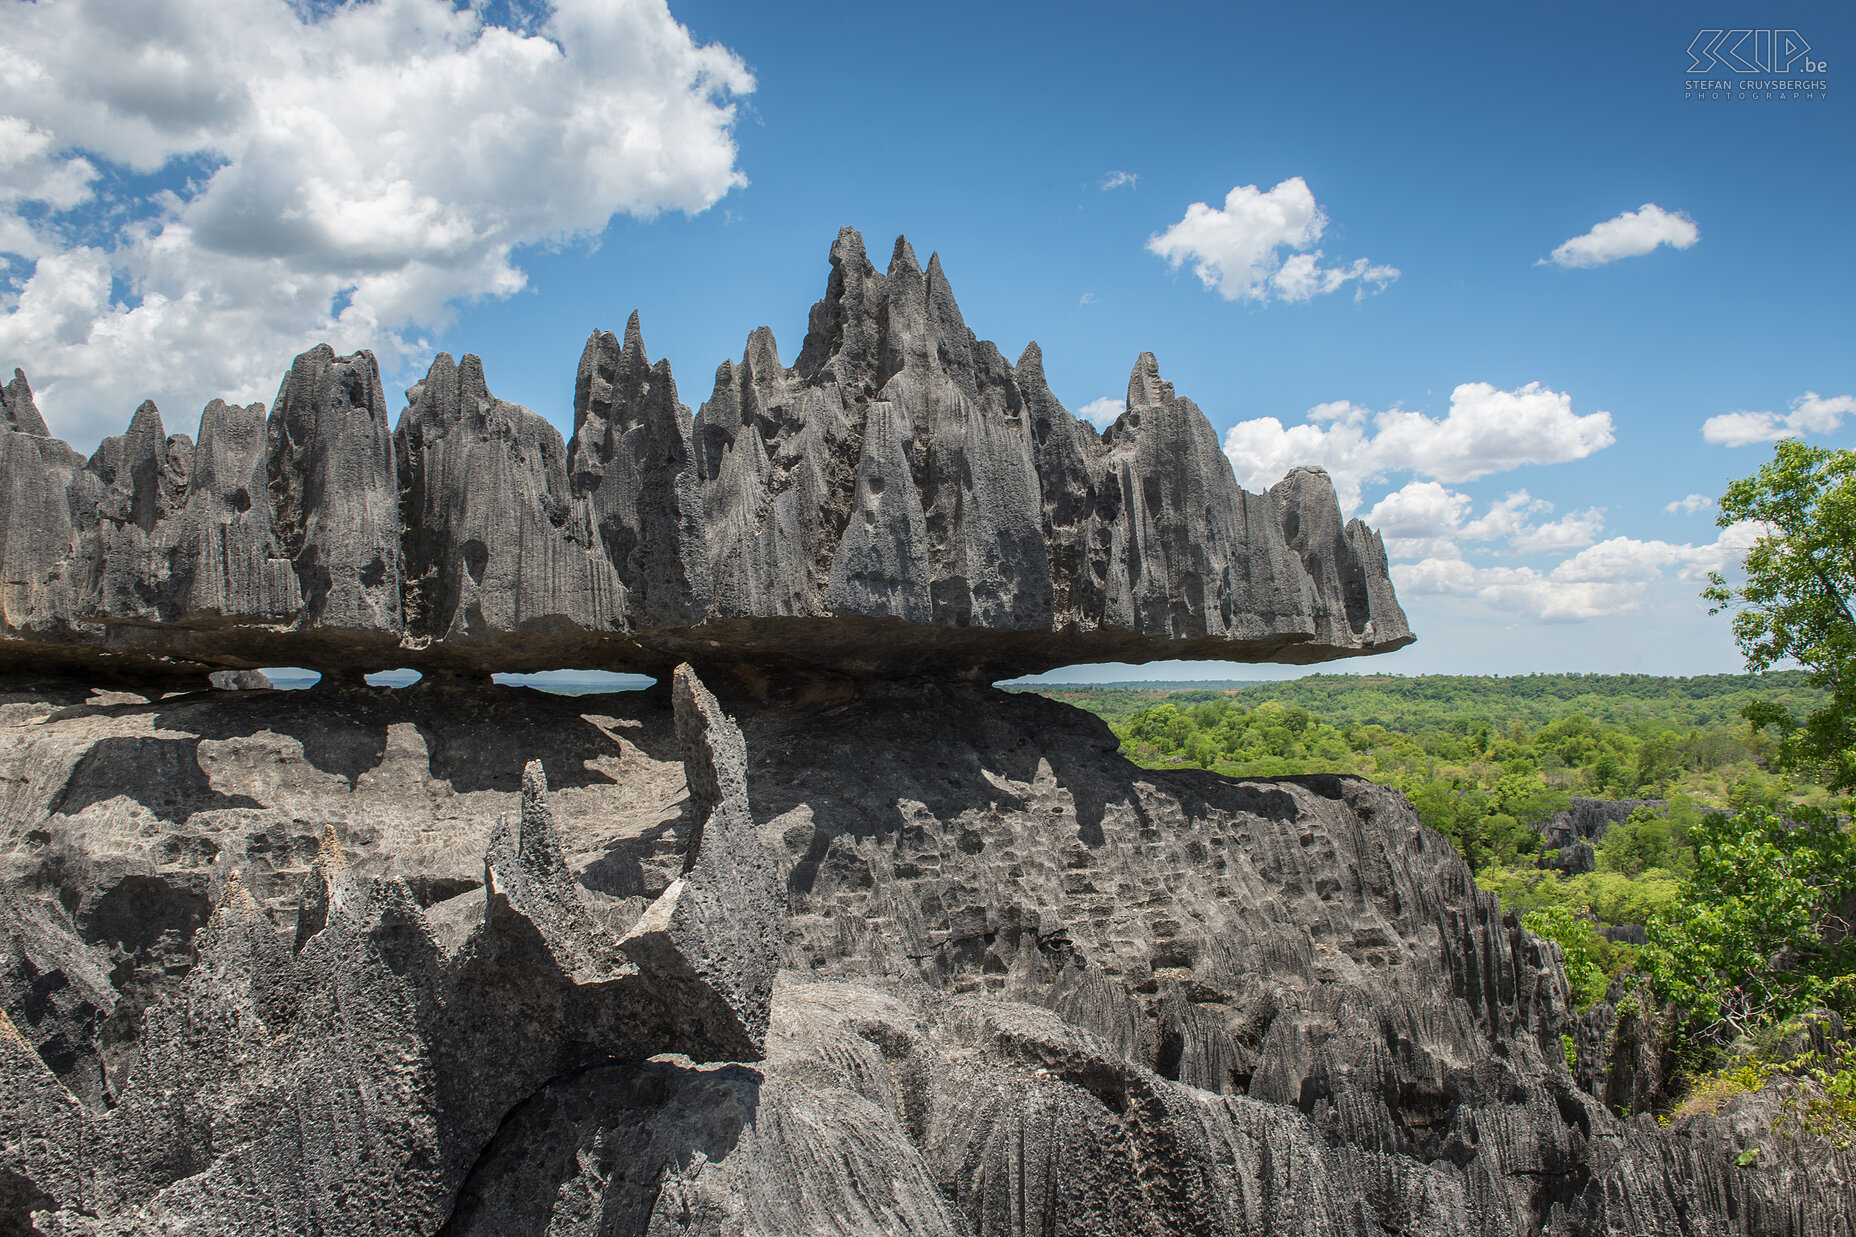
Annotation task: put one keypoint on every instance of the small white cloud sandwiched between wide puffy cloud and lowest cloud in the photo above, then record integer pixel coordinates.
(1428, 521)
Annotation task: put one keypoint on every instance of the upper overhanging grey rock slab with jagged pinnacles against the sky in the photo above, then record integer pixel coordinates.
(901, 501)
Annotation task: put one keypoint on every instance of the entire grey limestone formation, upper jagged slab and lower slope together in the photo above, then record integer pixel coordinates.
(855, 946)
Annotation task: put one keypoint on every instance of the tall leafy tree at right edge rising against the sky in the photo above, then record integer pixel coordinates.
(1796, 601)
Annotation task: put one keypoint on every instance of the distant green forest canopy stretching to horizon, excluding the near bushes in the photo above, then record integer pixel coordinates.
(1489, 761)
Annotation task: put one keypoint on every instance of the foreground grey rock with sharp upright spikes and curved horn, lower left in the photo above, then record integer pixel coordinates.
(346, 1078)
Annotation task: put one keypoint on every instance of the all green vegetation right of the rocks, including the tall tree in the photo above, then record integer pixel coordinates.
(1710, 902)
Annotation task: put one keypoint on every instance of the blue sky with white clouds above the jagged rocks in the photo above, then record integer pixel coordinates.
(179, 224)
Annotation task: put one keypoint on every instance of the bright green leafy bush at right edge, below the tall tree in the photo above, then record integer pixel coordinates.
(1755, 937)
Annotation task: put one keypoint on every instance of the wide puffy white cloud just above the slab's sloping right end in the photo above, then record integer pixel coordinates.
(1486, 432)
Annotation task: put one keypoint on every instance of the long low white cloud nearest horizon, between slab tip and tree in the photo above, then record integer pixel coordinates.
(1608, 579)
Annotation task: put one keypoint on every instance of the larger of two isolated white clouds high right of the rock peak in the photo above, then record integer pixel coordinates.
(1239, 252)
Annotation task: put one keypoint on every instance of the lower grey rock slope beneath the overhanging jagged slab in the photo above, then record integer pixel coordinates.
(348, 961)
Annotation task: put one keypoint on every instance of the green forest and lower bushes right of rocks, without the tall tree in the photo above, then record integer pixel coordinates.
(1489, 762)
